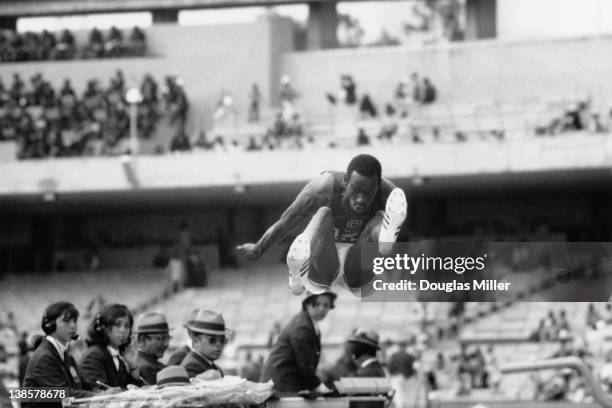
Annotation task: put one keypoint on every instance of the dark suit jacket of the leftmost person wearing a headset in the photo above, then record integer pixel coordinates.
(47, 369)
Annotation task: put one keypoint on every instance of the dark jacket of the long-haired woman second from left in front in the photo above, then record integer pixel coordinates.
(97, 365)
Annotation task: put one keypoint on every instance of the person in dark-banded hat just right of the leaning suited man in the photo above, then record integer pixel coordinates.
(363, 346)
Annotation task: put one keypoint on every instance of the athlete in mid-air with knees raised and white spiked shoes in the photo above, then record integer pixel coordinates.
(338, 213)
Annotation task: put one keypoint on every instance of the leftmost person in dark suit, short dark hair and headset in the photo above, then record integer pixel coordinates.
(51, 365)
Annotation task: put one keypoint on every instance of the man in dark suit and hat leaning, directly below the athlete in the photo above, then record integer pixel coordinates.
(293, 361)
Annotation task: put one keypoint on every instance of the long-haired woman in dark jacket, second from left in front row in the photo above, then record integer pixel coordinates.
(103, 364)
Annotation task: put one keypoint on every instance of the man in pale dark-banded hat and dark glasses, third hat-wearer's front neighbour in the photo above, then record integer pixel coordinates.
(209, 338)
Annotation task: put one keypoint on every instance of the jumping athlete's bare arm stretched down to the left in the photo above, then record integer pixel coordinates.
(313, 196)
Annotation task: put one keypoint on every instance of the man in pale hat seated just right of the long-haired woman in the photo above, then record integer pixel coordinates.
(153, 338)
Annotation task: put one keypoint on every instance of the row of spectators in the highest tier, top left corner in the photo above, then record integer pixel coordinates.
(30, 46)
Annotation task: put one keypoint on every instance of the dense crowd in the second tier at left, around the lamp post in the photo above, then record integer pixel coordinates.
(46, 122)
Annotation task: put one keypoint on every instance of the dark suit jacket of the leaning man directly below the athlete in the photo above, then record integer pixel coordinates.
(292, 363)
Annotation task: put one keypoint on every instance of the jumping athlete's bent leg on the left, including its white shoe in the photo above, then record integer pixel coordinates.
(312, 258)
